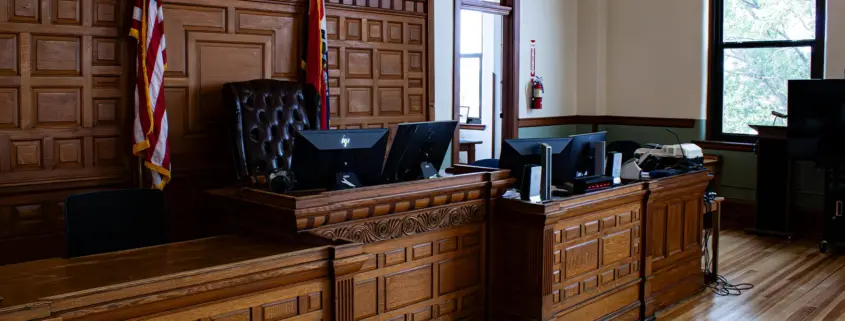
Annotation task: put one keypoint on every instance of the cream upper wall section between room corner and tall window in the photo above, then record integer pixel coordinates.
(656, 51)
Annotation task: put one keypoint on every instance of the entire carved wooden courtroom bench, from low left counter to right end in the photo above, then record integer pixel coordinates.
(448, 248)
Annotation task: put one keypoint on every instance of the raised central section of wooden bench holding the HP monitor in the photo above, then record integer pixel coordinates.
(423, 244)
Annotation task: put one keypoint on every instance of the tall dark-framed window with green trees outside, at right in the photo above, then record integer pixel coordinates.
(757, 45)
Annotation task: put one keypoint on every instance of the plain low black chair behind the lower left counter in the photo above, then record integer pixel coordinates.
(109, 221)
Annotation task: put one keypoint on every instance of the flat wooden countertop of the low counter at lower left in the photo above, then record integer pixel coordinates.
(29, 282)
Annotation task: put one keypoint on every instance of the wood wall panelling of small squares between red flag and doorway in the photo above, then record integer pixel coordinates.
(377, 64)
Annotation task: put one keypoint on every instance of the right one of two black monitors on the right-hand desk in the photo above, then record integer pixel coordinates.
(580, 157)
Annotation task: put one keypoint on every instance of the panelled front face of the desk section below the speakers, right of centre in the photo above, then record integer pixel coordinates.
(593, 254)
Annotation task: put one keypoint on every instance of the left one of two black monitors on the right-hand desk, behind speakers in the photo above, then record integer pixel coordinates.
(516, 153)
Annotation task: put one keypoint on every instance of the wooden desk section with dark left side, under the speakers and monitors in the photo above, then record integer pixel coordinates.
(575, 258)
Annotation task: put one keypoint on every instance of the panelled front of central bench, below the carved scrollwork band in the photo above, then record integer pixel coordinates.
(434, 275)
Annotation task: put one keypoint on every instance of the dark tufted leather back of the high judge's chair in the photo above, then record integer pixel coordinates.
(267, 115)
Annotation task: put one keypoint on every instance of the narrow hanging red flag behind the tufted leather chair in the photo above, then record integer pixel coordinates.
(317, 57)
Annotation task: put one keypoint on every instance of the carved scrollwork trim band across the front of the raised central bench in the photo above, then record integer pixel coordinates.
(391, 228)
